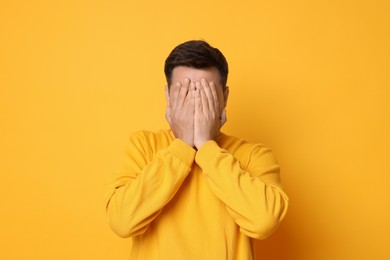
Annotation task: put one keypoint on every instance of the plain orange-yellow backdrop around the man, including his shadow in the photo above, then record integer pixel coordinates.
(309, 79)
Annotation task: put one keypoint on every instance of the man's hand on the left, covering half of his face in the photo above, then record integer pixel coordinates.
(181, 109)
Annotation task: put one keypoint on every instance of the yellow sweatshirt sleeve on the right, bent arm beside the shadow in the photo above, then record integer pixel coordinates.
(252, 193)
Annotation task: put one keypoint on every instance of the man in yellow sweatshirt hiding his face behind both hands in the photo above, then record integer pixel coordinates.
(192, 192)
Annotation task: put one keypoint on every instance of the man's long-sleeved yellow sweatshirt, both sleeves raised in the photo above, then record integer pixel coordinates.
(177, 203)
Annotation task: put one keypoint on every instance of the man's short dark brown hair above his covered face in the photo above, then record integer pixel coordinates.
(196, 54)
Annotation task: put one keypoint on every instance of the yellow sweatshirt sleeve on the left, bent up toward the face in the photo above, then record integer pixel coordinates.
(146, 184)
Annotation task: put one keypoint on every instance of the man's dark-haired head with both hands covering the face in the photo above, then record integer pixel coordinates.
(196, 92)
